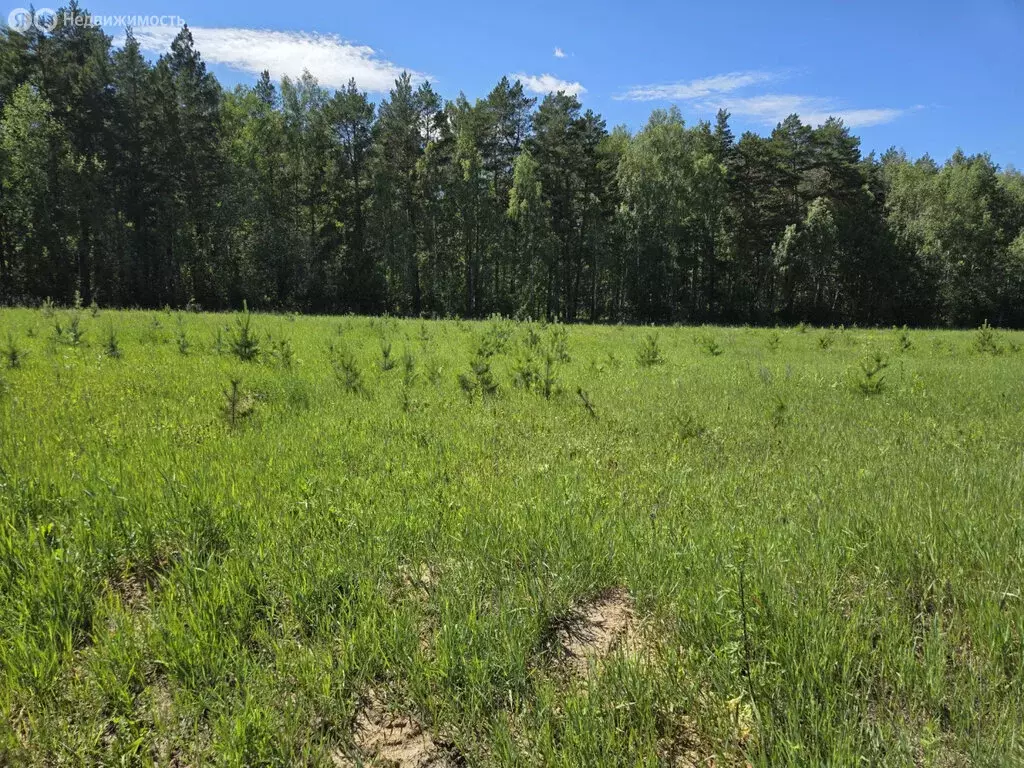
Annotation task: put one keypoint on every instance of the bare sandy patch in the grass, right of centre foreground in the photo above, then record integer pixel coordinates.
(598, 629)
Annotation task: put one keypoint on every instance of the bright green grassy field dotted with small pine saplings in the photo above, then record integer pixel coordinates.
(734, 546)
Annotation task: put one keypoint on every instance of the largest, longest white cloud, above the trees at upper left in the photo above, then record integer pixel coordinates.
(331, 60)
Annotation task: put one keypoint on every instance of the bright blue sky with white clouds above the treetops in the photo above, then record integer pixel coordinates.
(925, 76)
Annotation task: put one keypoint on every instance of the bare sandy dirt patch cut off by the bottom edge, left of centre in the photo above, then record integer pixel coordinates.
(385, 739)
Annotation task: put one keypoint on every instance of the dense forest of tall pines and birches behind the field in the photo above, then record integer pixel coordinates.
(148, 185)
